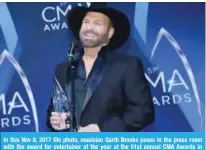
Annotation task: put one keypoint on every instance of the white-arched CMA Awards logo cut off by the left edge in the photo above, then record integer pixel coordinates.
(9, 106)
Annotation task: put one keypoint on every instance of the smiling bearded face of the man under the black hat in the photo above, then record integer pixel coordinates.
(96, 30)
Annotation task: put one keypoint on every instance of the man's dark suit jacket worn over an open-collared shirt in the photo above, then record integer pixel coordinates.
(121, 100)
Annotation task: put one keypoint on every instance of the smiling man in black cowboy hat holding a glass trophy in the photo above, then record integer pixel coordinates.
(111, 91)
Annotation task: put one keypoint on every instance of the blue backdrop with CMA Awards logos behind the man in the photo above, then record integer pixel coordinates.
(167, 37)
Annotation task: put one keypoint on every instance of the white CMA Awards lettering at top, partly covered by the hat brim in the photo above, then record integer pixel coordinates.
(55, 16)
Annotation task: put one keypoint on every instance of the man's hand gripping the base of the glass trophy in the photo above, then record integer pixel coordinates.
(57, 120)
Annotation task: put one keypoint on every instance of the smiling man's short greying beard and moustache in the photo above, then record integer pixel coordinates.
(99, 40)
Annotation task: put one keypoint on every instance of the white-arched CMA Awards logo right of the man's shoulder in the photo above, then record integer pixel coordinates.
(176, 80)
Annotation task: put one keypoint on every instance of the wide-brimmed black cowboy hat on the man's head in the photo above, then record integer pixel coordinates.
(119, 20)
